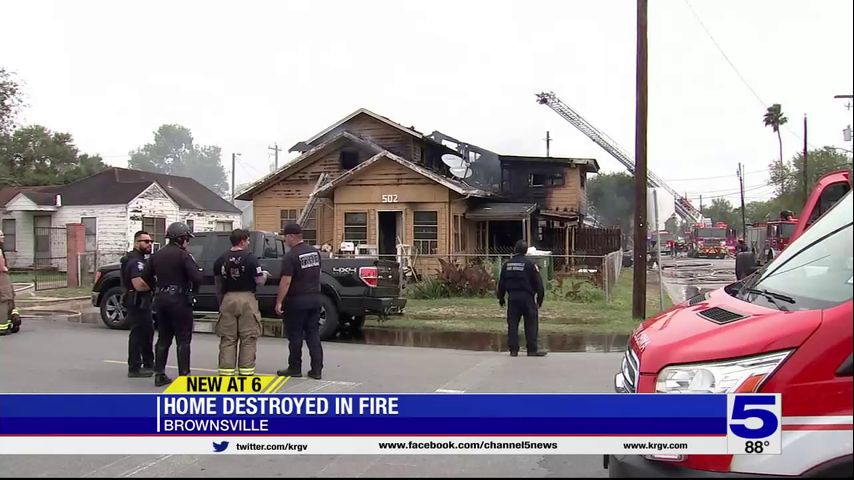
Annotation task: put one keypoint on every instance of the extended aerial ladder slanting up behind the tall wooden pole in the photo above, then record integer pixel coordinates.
(683, 207)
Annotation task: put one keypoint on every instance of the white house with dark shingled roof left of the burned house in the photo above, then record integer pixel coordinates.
(112, 204)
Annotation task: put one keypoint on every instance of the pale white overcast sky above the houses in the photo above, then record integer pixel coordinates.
(246, 75)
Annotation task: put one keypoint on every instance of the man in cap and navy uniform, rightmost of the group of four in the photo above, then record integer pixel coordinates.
(299, 289)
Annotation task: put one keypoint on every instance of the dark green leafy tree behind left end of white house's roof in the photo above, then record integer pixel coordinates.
(35, 155)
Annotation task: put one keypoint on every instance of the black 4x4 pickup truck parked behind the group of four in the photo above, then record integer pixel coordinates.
(352, 287)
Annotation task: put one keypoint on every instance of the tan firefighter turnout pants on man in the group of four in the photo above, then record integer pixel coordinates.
(238, 327)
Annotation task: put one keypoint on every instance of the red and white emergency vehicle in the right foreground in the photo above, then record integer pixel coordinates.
(785, 329)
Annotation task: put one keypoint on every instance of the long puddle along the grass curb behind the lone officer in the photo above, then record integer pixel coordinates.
(480, 341)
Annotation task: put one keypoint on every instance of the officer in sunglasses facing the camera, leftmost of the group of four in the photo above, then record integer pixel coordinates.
(137, 300)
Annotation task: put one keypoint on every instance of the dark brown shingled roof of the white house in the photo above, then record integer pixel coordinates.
(115, 186)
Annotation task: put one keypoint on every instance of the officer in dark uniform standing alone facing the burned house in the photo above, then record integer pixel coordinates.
(520, 280)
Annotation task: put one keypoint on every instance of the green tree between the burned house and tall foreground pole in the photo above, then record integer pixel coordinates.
(611, 197)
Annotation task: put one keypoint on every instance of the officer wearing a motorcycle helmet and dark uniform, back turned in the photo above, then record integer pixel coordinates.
(176, 276)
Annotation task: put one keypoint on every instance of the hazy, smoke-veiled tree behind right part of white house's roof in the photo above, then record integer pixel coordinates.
(174, 153)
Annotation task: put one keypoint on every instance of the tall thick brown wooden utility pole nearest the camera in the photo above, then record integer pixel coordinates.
(639, 277)
